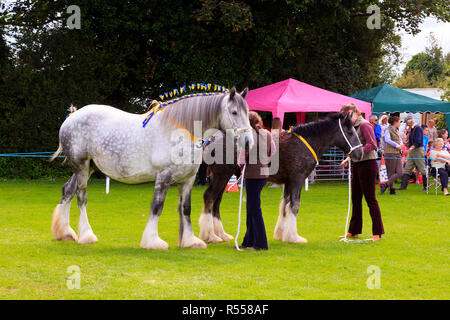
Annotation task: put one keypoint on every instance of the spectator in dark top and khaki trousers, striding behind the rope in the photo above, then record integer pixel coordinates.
(415, 154)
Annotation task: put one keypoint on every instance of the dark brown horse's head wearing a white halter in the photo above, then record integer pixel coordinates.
(346, 137)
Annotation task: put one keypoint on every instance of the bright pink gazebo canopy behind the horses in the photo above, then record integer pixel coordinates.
(294, 96)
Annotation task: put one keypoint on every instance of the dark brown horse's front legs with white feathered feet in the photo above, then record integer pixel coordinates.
(286, 228)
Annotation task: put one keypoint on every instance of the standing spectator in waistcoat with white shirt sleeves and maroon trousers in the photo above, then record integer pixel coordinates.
(393, 154)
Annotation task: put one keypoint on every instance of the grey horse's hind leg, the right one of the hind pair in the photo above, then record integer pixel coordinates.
(85, 233)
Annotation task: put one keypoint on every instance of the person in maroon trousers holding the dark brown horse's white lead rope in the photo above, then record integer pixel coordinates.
(364, 177)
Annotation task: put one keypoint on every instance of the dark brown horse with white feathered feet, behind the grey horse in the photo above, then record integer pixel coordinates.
(296, 162)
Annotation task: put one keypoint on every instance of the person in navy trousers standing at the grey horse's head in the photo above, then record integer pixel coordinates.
(256, 175)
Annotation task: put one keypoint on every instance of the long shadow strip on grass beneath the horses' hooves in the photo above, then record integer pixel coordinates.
(221, 253)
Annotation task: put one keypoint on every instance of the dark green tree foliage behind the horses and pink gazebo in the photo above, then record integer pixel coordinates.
(127, 53)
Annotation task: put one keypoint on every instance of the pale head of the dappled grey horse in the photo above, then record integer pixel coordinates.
(235, 117)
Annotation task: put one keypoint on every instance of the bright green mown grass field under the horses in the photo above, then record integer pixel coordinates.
(413, 256)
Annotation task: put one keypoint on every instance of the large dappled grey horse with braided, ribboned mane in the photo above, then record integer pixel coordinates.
(116, 143)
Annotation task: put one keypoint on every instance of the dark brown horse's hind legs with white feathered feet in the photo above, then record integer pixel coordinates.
(207, 227)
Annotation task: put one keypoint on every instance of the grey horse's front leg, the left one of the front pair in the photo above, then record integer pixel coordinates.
(150, 238)
